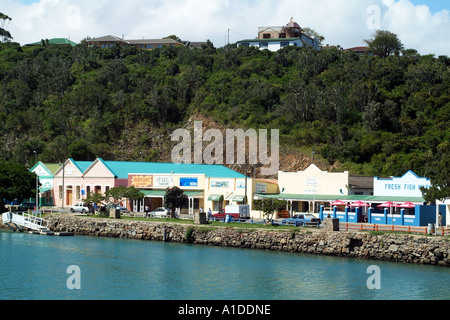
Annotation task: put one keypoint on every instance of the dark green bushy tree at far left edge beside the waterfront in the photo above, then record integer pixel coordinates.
(16, 182)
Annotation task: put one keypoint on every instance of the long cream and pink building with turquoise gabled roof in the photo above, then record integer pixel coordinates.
(211, 186)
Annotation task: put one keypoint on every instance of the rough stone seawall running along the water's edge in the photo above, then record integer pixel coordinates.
(388, 247)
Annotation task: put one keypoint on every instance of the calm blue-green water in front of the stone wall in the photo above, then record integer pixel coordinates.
(35, 267)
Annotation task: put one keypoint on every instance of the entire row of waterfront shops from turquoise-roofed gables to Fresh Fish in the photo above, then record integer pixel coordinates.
(215, 186)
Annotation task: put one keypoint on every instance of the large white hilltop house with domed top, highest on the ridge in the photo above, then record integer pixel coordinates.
(276, 37)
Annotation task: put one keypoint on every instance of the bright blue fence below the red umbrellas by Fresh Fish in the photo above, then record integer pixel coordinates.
(418, 216)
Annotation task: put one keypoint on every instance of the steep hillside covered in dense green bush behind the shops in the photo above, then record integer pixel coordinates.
(369, 115)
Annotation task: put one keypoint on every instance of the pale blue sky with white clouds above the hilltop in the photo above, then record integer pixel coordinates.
(423, 25)
